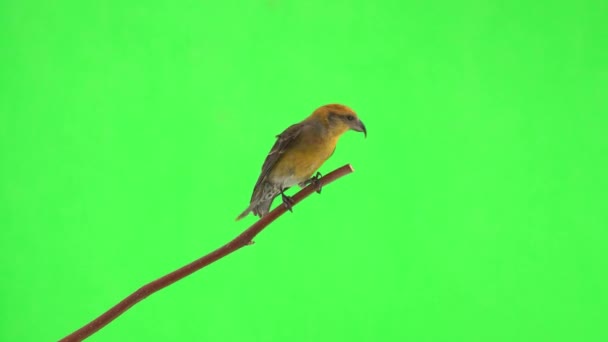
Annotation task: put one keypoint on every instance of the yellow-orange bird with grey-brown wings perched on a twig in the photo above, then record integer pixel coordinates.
(298, 152)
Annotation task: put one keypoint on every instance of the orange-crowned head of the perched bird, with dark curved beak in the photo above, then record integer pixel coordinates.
(339, 119)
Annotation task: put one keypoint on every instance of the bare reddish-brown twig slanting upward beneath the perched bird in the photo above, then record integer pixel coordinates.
(245, 238)
